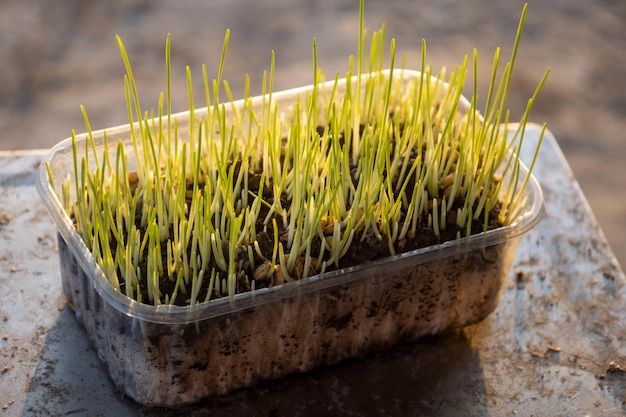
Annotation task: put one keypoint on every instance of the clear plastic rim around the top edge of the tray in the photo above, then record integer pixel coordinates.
(171, 314)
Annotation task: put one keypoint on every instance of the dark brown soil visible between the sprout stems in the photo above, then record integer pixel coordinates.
(363, 249)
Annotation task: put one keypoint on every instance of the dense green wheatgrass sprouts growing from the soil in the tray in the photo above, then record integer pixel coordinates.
(248, 194)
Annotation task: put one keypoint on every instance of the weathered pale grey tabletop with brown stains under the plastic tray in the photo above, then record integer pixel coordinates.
(554, 346)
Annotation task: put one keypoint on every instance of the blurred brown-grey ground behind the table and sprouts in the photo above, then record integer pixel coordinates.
(57, 55)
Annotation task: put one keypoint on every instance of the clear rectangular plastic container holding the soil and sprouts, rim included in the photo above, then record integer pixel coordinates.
(171, 356)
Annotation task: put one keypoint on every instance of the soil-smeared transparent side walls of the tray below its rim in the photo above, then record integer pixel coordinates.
(174, 365)
